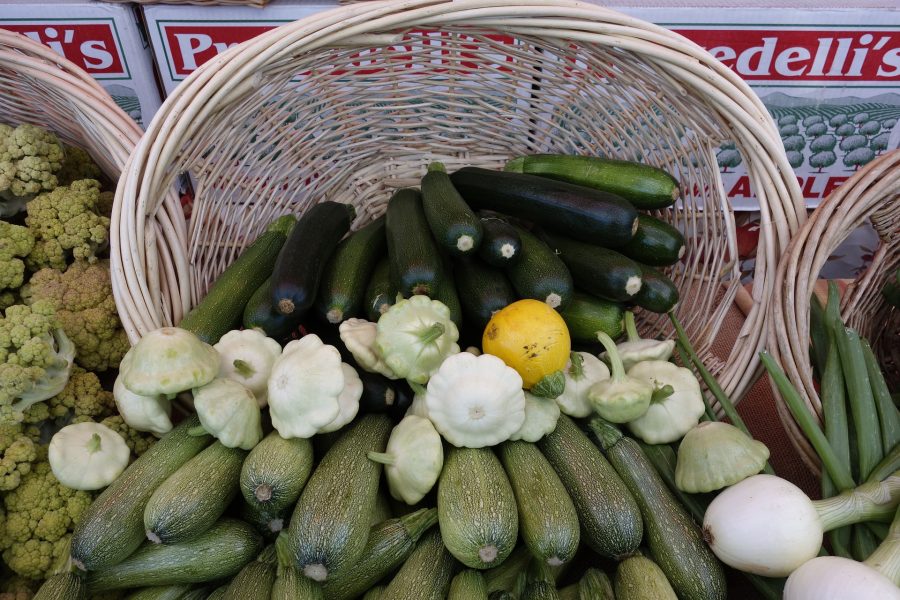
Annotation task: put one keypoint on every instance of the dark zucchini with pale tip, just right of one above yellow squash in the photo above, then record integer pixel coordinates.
(597, 270)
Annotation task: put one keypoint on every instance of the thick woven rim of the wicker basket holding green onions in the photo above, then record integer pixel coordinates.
(837, 216)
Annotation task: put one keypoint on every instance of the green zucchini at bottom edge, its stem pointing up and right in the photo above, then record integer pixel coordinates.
(390, 543)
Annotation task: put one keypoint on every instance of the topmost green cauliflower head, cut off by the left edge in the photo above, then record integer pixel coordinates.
(29, 157)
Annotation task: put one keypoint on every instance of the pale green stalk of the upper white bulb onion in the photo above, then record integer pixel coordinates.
(869, 502)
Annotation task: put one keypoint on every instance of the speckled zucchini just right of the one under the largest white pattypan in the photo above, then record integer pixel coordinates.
(547, 516)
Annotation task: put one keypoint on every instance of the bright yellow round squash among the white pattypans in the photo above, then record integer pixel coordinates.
(530, 337)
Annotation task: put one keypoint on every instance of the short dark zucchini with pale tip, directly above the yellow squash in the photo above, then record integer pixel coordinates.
(540, 274)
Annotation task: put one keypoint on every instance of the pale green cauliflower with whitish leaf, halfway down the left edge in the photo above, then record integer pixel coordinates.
(36, 356)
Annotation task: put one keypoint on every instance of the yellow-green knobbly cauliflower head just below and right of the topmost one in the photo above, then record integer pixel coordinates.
(66, 226)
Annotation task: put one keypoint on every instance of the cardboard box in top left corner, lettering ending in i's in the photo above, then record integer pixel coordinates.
(106, 40)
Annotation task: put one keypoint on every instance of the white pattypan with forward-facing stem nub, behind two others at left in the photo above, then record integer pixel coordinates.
(247, 356)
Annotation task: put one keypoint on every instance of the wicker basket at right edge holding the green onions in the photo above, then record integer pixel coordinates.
(872, 194)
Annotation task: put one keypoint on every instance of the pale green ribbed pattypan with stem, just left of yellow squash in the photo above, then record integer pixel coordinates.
(414, 337)
